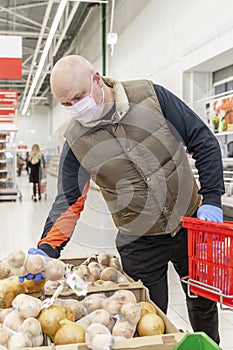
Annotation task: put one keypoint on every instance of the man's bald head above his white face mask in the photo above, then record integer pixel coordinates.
(70, 71)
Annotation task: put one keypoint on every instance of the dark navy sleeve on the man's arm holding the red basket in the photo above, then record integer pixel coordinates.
(200, 142)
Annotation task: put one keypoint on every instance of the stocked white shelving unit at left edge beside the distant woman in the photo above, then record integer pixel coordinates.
(8, 188)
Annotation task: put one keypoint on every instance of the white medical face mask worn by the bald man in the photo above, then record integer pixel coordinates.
(86, 110)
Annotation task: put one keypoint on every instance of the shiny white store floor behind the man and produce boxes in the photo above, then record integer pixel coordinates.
(21, 226)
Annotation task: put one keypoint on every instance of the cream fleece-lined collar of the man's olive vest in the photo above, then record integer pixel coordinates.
(120, 97)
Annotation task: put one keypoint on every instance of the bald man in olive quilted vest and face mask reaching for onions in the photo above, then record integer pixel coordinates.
(129, 138)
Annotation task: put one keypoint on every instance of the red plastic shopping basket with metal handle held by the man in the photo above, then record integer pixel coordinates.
(210, 254)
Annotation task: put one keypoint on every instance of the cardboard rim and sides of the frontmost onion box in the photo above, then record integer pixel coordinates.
(166, 341)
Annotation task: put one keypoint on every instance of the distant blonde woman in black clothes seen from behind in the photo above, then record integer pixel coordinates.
(34, 163)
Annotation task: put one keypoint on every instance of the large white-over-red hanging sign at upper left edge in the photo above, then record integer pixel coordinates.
(10, 57)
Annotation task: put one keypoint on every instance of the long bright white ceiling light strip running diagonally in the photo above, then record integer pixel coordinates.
(49, 40)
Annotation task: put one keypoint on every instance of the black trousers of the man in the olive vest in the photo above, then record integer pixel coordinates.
(147, 257)
